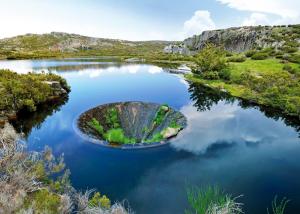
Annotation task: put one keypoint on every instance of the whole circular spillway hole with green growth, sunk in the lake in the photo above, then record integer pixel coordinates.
(131, 124)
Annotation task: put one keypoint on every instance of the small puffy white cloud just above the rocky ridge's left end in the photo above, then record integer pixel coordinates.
(200, 22)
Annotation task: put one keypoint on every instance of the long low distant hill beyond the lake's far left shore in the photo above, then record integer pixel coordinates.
(64, 44)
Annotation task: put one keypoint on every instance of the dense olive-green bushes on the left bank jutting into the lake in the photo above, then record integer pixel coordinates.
(27, 91)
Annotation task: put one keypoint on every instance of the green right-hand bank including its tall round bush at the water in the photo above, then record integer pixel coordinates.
(264, 80)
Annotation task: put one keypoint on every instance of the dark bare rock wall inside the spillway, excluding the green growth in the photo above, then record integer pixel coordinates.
(136, 119)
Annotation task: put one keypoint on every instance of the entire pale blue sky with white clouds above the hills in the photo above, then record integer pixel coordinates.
(141, 19)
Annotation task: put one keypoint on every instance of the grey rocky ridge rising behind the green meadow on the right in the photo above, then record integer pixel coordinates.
(241, 39)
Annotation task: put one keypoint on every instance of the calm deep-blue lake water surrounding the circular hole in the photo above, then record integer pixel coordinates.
(227, 142)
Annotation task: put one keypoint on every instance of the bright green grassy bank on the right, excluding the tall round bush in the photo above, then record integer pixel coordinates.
(269, 85)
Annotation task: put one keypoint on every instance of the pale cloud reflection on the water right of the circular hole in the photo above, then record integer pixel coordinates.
(226, 123)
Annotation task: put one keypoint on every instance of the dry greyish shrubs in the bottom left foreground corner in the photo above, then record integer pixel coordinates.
(37, 182)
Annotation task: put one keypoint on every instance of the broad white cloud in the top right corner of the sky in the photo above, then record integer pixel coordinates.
(285, 11)
